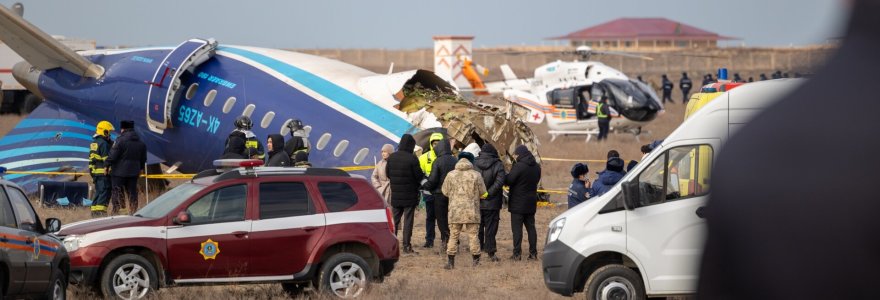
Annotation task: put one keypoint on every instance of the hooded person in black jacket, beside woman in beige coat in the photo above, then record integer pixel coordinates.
(405, 175)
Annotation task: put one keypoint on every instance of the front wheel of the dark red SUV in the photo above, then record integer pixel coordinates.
(128, 276)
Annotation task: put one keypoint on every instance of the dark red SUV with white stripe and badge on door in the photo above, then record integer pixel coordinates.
(295, 226)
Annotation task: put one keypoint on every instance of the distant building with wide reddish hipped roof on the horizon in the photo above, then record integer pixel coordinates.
(644, 34)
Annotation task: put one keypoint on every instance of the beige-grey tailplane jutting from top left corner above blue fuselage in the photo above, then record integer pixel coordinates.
(40, 49)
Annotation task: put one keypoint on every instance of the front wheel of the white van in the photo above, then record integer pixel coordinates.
(615, 282)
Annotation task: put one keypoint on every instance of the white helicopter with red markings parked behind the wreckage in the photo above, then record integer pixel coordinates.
(566, 95)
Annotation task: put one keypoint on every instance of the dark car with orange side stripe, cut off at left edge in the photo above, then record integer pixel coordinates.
(33, 263)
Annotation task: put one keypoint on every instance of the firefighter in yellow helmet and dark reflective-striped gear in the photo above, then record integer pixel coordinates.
(99, 150)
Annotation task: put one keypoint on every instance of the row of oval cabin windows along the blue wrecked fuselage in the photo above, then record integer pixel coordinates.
(323, 141)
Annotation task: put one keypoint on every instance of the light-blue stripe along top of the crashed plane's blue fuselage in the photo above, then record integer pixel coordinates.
(372, 112)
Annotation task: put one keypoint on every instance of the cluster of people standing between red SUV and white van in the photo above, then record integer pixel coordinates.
(463, 193)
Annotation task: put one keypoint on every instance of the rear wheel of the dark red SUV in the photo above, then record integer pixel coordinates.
(345, 275)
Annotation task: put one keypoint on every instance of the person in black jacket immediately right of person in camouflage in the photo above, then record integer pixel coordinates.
(492, 170)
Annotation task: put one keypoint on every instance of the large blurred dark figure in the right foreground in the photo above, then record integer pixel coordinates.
(802, 234)
